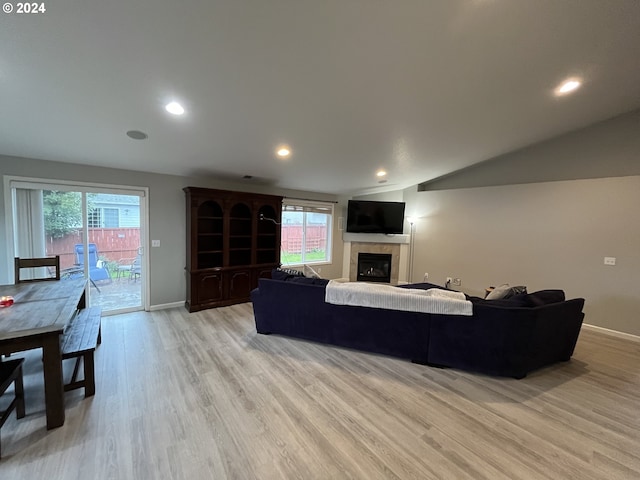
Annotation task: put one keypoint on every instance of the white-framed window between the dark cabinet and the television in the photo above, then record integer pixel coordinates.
(306, 232)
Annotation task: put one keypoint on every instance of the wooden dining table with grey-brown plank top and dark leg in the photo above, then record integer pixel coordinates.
(37, 318)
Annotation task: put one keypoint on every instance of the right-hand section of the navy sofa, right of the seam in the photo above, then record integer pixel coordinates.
(506, 340)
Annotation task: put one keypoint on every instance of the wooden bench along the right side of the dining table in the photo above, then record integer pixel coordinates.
(79, 341)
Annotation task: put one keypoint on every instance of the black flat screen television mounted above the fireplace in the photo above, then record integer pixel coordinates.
(366, 216)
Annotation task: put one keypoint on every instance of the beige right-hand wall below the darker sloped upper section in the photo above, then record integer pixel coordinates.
(544, 235)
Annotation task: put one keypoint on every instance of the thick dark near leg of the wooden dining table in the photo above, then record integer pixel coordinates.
(53, 382)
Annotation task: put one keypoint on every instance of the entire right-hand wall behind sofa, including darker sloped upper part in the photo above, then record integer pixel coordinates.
(544, 216)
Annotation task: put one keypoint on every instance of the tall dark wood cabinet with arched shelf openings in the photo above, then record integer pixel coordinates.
(232, 241)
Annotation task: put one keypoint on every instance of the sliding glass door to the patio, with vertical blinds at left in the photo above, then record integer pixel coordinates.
(98, 232)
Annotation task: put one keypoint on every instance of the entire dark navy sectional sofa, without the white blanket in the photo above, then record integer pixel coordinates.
(503, 337)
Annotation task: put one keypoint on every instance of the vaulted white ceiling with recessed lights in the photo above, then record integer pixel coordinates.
(420, 88)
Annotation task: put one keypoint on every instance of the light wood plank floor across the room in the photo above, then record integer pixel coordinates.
(202, 396)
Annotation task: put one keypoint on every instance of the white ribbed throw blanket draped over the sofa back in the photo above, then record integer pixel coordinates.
(389, 297)
